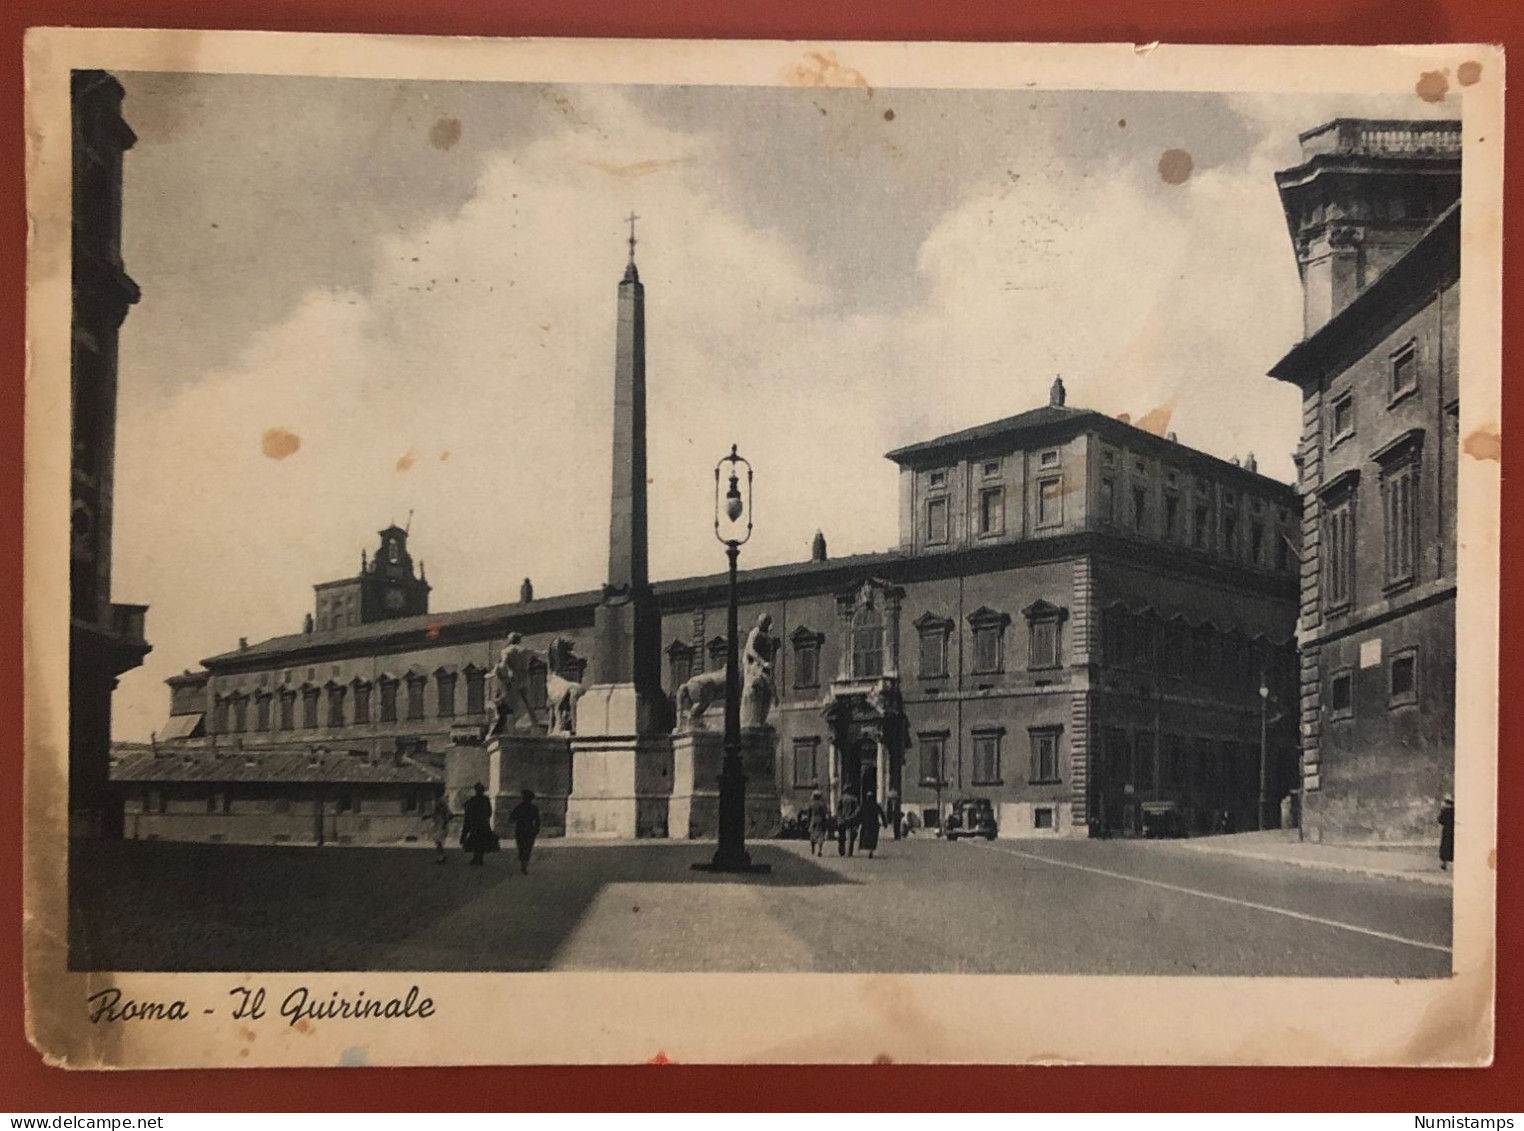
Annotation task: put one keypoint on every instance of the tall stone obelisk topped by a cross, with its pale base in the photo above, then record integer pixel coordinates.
(621, 758)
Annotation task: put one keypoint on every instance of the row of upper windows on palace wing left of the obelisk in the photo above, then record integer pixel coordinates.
(353, 705)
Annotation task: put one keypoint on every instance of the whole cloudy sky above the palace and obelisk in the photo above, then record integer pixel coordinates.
(374, 300)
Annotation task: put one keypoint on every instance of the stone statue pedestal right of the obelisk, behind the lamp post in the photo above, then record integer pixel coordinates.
(697, 761)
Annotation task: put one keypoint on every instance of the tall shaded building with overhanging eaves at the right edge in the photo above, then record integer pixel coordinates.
(1374, 213)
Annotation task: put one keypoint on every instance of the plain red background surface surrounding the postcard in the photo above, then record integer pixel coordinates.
(27, 1085)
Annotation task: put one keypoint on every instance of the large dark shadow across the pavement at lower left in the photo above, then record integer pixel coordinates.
(162, 906)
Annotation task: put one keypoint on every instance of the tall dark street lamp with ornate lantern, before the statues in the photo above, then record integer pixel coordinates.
(734, 530)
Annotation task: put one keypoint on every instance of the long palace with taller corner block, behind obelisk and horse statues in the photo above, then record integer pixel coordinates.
(1083, 623)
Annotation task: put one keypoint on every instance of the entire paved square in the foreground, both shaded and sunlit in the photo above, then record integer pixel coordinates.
(1022, 908)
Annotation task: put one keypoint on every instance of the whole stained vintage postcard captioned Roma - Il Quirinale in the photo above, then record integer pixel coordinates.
(760, 553)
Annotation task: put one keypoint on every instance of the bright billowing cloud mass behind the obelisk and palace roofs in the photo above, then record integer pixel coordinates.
(466, 376)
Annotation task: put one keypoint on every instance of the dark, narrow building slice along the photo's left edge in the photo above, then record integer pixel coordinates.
(106, 639)
